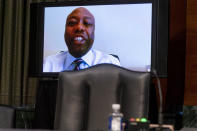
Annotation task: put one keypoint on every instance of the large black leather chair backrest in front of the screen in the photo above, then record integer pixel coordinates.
(84, 98)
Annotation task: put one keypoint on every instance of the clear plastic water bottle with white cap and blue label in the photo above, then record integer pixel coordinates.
(115, 119)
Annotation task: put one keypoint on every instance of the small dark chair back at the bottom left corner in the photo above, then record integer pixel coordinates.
(7, 116)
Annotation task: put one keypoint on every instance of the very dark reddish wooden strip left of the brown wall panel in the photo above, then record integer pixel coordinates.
(176, 55)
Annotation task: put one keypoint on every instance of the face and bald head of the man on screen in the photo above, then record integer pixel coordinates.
(79, 33)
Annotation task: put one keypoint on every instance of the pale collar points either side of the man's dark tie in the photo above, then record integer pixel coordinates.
(87, 58)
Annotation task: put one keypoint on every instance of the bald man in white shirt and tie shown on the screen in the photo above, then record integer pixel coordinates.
(79, 38)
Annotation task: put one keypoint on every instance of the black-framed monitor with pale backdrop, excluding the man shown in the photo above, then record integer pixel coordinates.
(123, 29)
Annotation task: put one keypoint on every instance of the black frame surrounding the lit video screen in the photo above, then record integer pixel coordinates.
(36, 46)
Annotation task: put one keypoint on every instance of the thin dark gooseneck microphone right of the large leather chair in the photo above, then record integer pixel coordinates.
(160, 111)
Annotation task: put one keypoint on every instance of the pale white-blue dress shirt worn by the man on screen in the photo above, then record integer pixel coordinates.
(64, 61)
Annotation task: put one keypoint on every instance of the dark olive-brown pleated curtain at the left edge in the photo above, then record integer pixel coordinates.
(13, 50)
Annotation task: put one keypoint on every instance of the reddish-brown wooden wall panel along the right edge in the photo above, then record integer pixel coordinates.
(191, 55)
